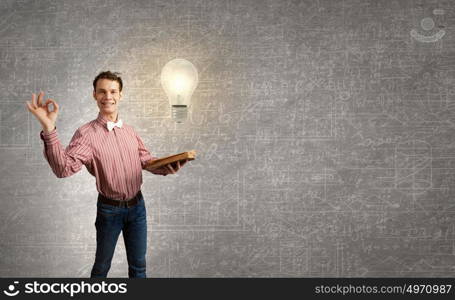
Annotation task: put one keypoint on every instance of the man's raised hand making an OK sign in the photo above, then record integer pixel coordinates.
(41, 111)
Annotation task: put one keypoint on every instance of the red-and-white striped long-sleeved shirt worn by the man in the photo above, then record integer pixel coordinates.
(116, 158)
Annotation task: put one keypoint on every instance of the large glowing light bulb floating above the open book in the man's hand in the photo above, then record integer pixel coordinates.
(179, 79)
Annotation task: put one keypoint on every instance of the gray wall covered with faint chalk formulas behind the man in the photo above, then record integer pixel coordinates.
(324, 131)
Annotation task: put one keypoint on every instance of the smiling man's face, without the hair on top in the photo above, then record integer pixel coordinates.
(107, 96)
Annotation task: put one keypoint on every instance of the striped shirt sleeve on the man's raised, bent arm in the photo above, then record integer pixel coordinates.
(66, 162)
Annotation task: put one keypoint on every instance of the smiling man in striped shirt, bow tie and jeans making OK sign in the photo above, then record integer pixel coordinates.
(112, 152)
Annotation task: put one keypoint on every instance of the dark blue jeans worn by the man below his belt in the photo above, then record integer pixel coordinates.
(132, 221)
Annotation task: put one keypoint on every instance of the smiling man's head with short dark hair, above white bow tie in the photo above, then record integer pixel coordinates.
(107, 91)
